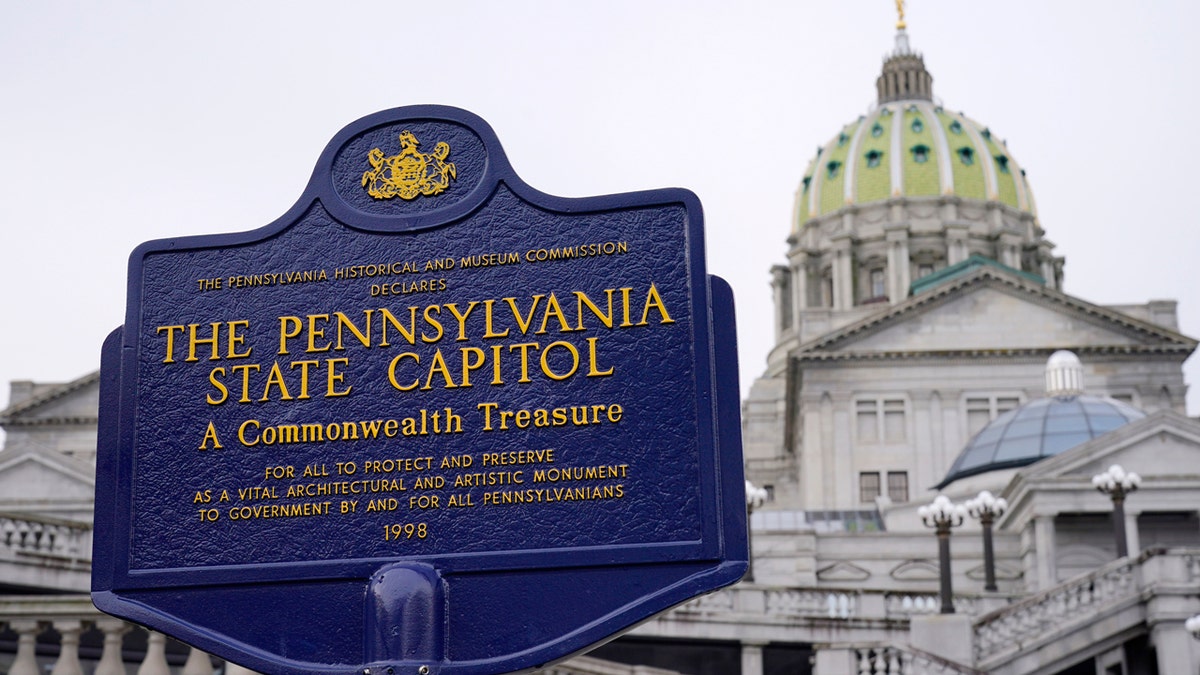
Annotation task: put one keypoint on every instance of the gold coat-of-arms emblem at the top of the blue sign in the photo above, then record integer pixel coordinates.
(410, 172)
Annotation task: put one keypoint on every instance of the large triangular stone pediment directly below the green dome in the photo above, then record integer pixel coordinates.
(994, 312)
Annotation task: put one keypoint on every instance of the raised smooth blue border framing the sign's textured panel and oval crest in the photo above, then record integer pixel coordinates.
(719, 558)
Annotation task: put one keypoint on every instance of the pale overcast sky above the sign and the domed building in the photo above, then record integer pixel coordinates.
(127, 122)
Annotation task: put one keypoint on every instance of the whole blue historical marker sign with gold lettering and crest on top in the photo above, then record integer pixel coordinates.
(430, 421)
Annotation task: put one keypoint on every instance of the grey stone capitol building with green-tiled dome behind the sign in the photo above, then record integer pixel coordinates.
(923, 347)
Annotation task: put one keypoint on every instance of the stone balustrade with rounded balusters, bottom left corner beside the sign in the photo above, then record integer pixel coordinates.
(68, 636)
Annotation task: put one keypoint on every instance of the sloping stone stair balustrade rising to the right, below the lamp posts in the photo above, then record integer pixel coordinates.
(1076, 601)
